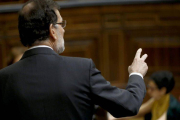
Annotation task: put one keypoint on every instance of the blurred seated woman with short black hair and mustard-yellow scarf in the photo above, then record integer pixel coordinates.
(162, 105)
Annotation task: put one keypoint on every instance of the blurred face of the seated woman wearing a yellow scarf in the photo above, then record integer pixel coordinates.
(154, 91)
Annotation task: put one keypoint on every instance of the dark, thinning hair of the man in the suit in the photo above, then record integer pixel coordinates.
(34, 22)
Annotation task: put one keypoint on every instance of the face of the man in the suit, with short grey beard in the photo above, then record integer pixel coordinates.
(59, 44)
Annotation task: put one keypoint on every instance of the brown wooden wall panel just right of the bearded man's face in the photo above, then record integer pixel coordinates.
(83, 44)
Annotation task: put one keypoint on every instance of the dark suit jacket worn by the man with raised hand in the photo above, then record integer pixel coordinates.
(46, 86)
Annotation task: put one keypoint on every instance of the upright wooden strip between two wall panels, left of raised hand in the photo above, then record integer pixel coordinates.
(114, 57)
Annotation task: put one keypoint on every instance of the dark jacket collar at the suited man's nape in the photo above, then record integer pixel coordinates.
(39, 50)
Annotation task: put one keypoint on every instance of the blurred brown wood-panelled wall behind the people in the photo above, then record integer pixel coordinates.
(109, 32)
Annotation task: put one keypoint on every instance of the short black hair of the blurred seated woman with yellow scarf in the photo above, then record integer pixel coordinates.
(163, 79)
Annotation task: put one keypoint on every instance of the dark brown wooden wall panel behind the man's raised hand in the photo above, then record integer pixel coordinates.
(163, 52)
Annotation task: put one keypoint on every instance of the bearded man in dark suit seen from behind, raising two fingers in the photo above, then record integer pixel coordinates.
(46, 86)
